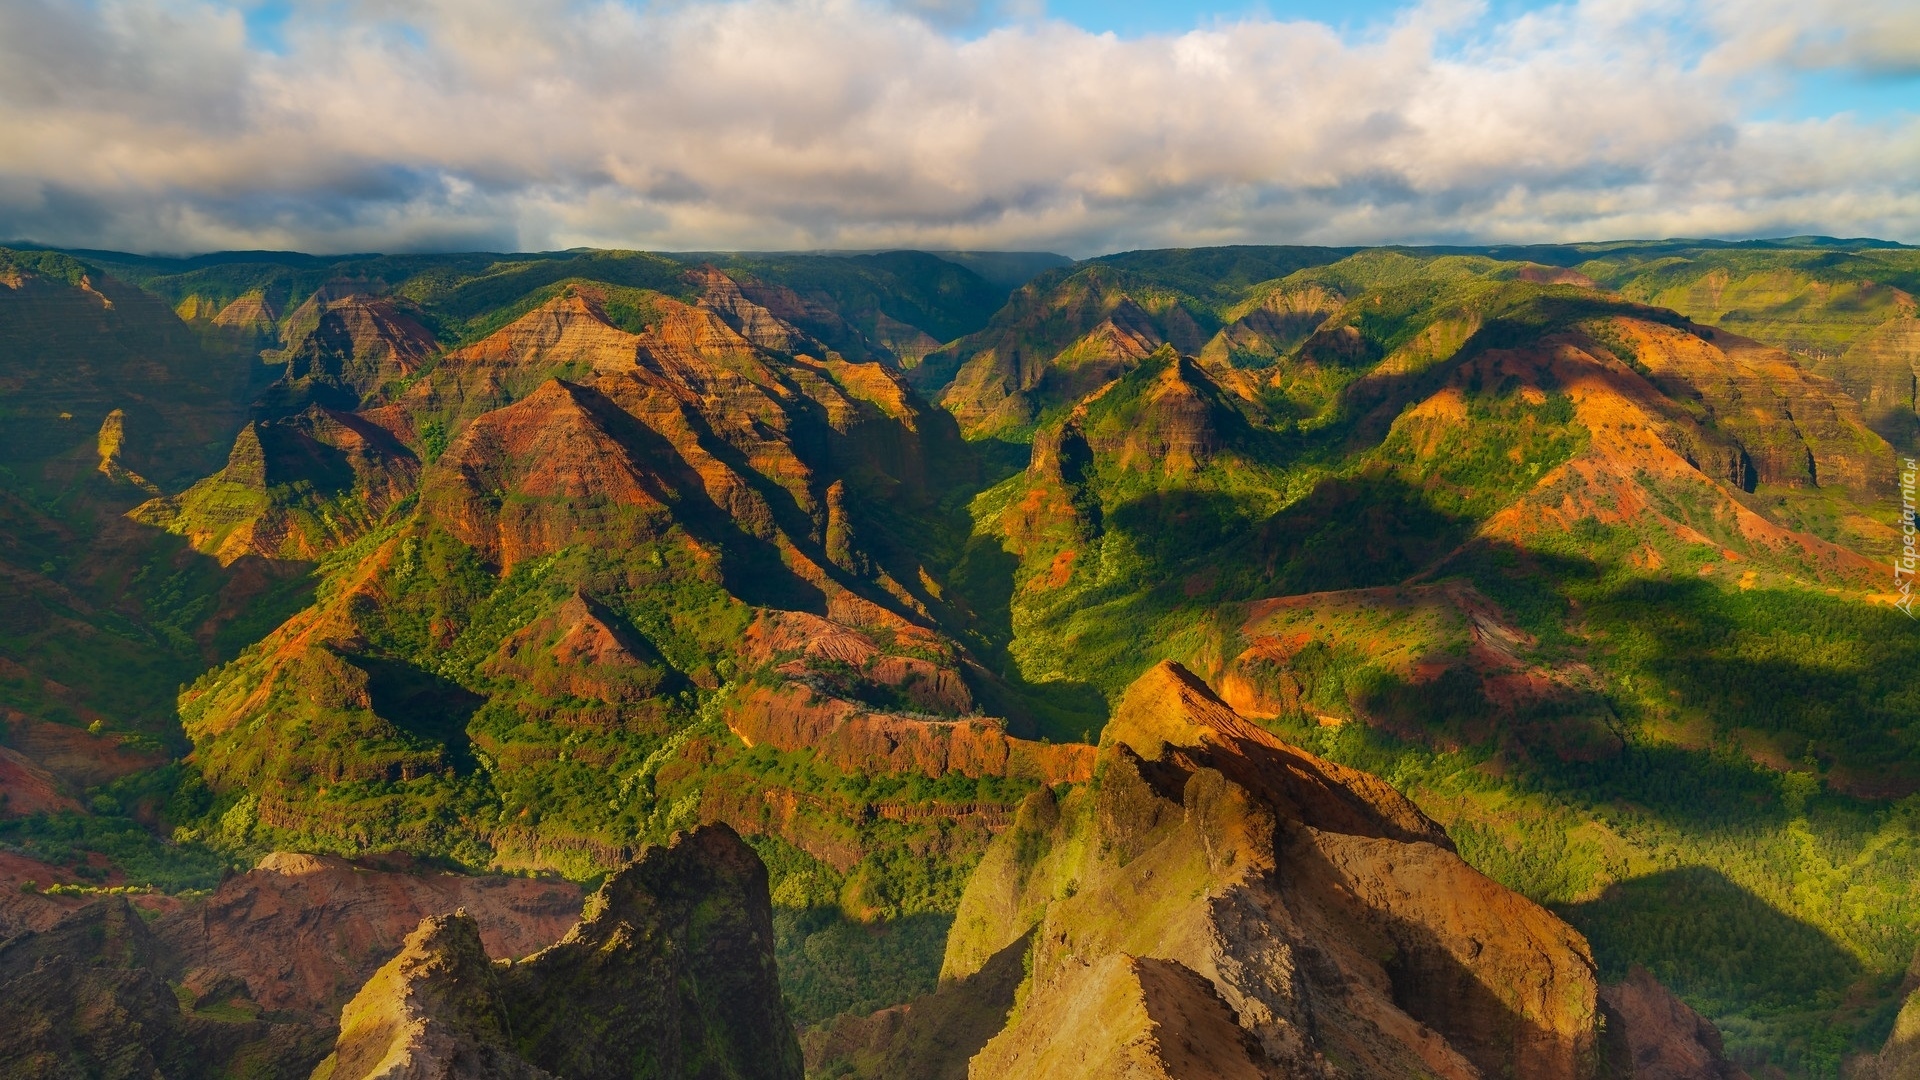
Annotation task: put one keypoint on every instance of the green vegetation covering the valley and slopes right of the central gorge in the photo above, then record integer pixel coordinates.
(1683, 797)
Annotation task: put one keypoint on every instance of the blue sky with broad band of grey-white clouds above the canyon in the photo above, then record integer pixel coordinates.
(1068, 126)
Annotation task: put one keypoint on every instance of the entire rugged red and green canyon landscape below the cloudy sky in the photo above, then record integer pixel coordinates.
(1224, 662)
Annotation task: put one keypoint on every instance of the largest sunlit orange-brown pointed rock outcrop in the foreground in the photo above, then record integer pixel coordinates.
(1303, 908)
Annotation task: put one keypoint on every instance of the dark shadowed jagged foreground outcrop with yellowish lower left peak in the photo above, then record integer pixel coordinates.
(669, 973)
